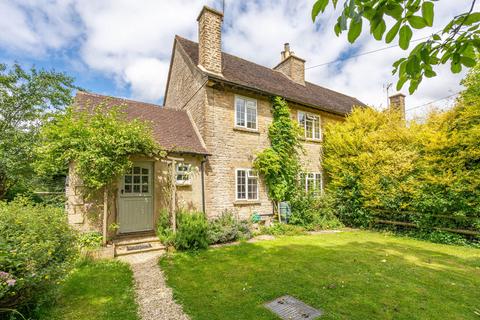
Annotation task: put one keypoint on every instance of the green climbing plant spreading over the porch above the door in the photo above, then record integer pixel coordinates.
(99, 143)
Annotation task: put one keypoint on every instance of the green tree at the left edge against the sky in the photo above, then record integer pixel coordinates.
(26, 99)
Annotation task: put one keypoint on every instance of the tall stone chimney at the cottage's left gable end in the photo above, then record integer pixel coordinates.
(210, 40)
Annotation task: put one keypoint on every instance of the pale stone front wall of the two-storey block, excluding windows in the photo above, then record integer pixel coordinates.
(234, 148)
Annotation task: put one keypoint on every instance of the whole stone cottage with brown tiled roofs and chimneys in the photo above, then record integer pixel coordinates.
(214, 121)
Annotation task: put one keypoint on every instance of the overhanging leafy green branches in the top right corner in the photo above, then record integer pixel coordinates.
(458, 42)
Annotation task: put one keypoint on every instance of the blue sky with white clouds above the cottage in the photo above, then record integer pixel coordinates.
(122, 47)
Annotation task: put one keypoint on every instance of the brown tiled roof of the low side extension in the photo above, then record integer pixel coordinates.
(172, 129)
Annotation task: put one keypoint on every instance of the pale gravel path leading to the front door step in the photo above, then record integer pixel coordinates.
(153, 296)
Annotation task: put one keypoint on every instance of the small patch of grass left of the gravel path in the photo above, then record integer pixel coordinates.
(95, 290)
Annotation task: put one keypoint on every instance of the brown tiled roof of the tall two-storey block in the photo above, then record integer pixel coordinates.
(257, 77)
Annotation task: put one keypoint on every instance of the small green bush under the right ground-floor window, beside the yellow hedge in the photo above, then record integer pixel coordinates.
(313, 212)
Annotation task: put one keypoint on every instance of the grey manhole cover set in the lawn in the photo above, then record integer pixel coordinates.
(289, 308)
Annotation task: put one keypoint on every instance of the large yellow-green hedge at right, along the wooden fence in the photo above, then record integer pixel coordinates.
(427, 173)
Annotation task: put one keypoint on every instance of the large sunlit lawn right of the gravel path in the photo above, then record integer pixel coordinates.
(351, 275)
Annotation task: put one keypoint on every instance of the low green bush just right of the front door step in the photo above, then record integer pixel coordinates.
(191, 232)
